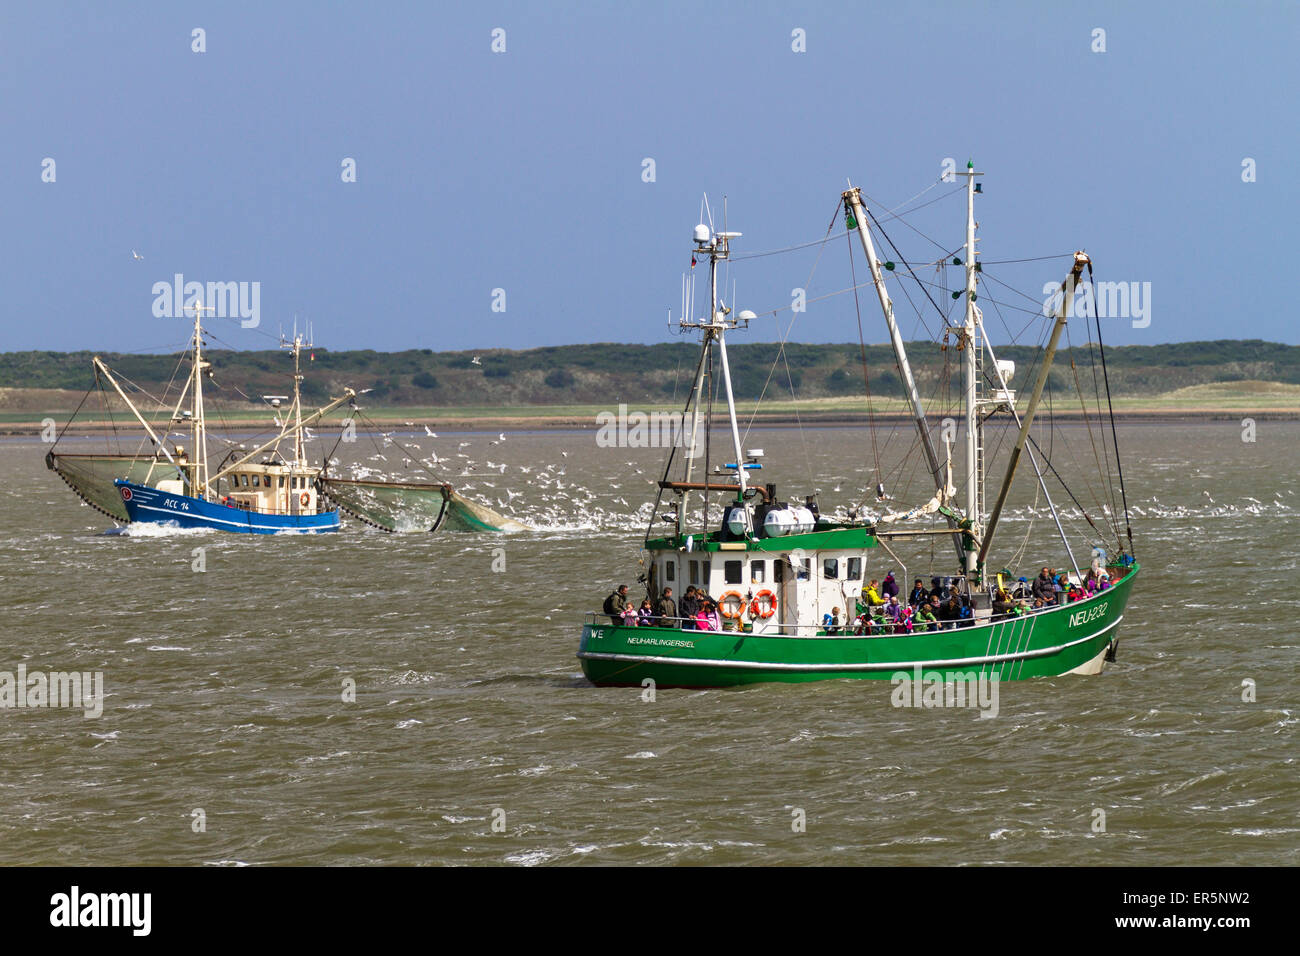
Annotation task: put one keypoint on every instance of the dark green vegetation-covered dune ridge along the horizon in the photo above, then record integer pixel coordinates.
(651, 375)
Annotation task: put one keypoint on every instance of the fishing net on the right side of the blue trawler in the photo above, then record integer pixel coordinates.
(406, 507)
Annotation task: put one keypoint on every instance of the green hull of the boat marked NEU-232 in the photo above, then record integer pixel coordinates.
(1034, 646)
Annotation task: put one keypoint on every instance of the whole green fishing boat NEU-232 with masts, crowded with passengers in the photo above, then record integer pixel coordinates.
(779, 572)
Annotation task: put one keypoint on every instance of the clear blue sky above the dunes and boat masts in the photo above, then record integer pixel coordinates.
(523, 171)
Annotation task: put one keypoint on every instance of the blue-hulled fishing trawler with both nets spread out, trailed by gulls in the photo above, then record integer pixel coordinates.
(268, 491)
